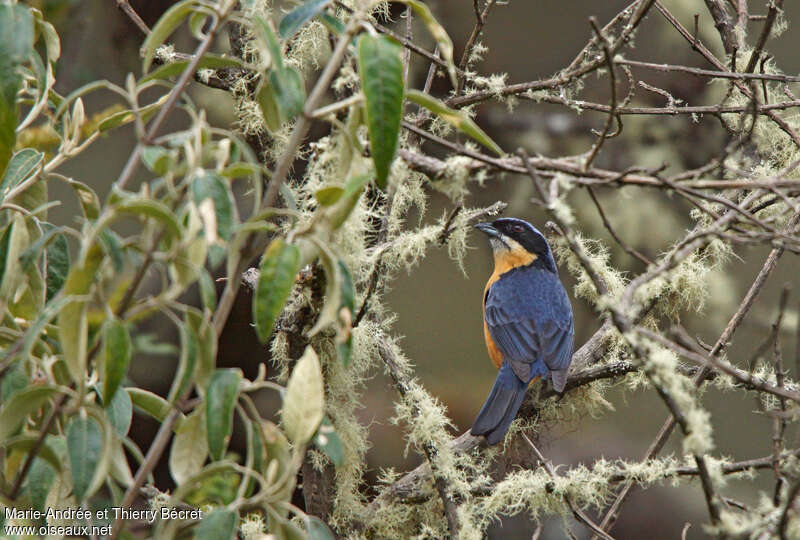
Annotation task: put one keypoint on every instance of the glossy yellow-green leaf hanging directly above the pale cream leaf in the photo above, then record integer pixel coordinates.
(279, 266)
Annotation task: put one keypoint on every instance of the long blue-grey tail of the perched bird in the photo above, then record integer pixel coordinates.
(501, 406)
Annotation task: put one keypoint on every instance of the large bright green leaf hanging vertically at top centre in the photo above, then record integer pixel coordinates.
(381, 71)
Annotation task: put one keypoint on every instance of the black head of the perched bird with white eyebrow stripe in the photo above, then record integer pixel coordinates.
(512, 236)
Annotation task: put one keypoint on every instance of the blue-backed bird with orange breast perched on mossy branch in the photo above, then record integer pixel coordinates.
(527, 322)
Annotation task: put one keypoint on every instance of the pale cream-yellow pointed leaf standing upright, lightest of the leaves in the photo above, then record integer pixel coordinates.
(304, 401)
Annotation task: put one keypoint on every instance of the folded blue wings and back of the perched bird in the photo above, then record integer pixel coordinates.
(530, 319)
